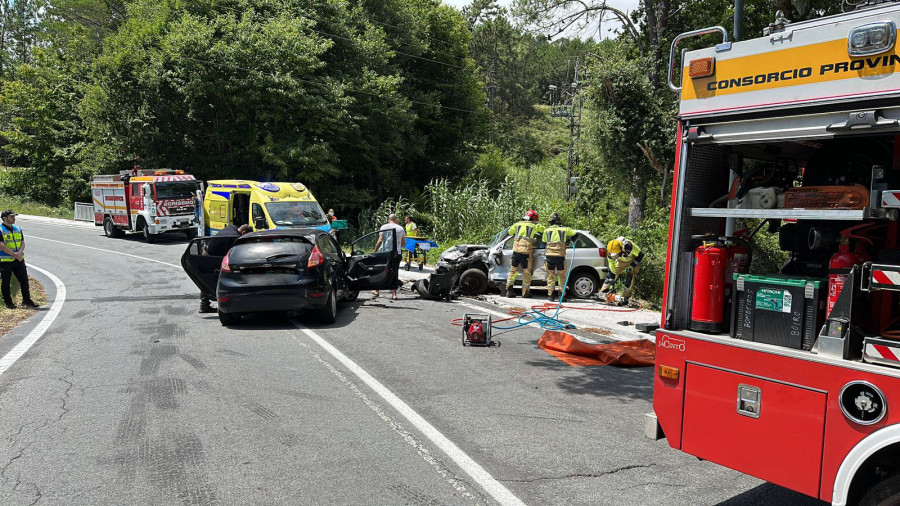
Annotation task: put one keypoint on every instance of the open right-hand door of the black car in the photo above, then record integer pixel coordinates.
(374, 261)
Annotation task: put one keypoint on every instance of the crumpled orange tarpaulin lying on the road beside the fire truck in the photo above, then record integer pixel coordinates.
(570, 350)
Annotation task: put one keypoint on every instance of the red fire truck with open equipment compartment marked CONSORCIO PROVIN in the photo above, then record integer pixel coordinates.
(788, 372)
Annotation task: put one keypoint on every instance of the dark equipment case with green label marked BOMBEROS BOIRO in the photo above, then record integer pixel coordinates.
(784, 311)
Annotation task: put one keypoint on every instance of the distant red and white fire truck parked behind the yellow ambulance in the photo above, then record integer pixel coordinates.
(150, 202)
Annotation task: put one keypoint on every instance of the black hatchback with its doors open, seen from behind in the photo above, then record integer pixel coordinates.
(289, 270)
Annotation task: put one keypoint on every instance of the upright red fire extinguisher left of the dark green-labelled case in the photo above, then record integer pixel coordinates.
(708, 298)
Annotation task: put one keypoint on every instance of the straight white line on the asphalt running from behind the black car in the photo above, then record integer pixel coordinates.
(472, 468)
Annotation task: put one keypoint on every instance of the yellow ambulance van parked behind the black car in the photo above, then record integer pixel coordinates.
(262, 205)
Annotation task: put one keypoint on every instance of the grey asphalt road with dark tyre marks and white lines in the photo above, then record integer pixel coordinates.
(131, 397)
